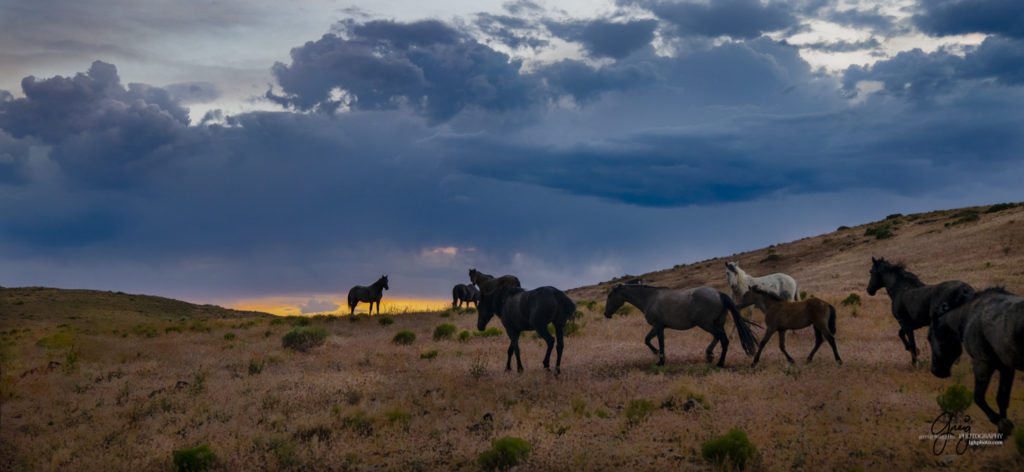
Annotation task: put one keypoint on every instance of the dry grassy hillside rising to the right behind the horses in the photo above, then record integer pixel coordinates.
(984, 246)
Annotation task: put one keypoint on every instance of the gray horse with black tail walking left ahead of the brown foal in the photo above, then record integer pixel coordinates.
(682, 310)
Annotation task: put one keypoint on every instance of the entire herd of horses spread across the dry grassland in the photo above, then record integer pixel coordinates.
(989, 324)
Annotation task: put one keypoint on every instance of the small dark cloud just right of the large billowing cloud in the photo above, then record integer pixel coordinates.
(608, 39)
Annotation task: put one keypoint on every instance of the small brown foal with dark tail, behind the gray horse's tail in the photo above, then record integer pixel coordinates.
(782, 316)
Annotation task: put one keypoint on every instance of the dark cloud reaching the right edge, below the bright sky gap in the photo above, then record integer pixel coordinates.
(924, 76)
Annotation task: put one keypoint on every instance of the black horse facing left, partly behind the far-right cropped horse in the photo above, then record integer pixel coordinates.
(913, 302)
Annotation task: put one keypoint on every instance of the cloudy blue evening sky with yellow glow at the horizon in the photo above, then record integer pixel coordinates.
(275, 154)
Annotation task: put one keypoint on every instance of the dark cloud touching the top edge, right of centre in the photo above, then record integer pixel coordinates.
(737, 19)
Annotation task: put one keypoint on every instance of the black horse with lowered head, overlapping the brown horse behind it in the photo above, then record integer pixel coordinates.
(523, 311)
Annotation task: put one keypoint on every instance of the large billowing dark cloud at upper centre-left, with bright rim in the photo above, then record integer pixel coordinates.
(425, 66)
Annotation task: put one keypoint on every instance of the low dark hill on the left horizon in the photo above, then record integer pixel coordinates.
(27, 306)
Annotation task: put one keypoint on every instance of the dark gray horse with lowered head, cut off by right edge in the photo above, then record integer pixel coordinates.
(991, 327)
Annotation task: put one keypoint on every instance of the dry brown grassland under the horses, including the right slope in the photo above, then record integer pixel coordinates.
(84, 390)
